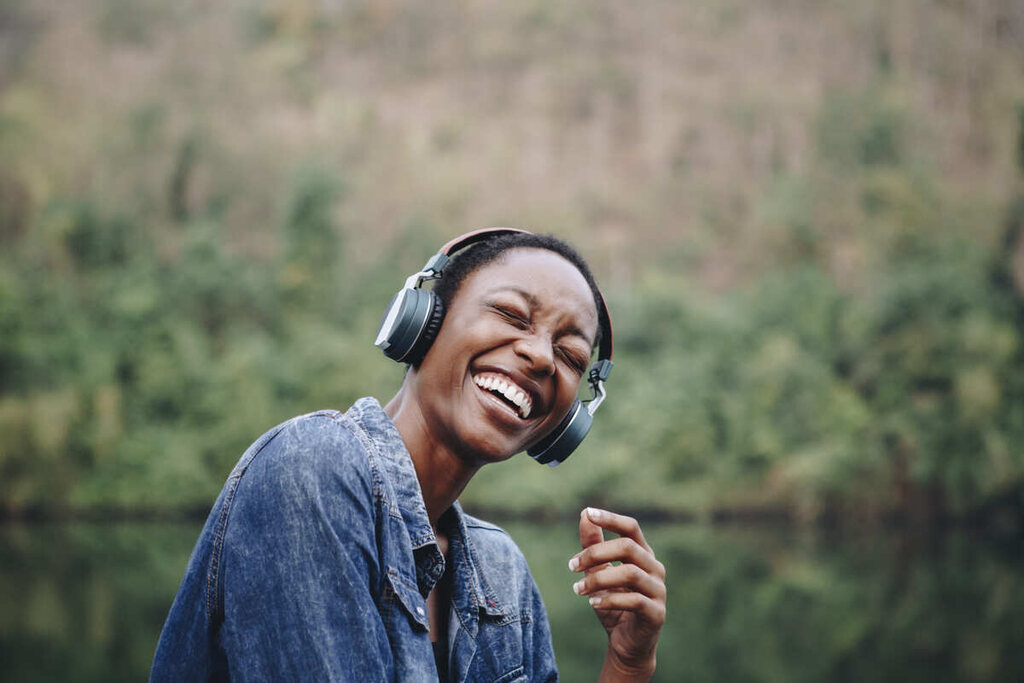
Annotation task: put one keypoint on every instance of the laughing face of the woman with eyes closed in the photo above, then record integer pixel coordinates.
(508, 360)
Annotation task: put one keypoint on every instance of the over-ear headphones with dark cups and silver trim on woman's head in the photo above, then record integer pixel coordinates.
(415, 316)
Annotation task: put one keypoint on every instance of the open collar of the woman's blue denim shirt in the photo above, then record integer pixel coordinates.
(397, 468)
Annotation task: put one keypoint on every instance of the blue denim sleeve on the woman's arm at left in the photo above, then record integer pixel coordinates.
(300, 565)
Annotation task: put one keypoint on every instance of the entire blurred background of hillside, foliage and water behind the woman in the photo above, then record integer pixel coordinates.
(807, 218)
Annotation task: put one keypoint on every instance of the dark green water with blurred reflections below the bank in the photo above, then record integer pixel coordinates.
(86, 603)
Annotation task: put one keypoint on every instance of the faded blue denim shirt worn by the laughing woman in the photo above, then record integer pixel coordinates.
(316, 563)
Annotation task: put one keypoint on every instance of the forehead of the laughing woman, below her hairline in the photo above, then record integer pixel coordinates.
(552, 282)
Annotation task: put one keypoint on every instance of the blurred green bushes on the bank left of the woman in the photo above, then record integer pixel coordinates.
(133, 380)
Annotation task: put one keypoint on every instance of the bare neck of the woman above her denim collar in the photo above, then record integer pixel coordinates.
(442, 474)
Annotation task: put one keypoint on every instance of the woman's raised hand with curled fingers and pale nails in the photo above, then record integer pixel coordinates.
(629, 599)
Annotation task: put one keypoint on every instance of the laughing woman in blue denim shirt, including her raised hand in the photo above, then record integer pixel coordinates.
(337, 549)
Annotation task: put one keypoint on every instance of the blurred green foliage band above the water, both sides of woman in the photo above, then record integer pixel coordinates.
(138, 367)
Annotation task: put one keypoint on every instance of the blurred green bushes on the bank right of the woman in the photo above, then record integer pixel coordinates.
(899, 395)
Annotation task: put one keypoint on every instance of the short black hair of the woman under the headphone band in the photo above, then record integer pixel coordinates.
(483, 253)
